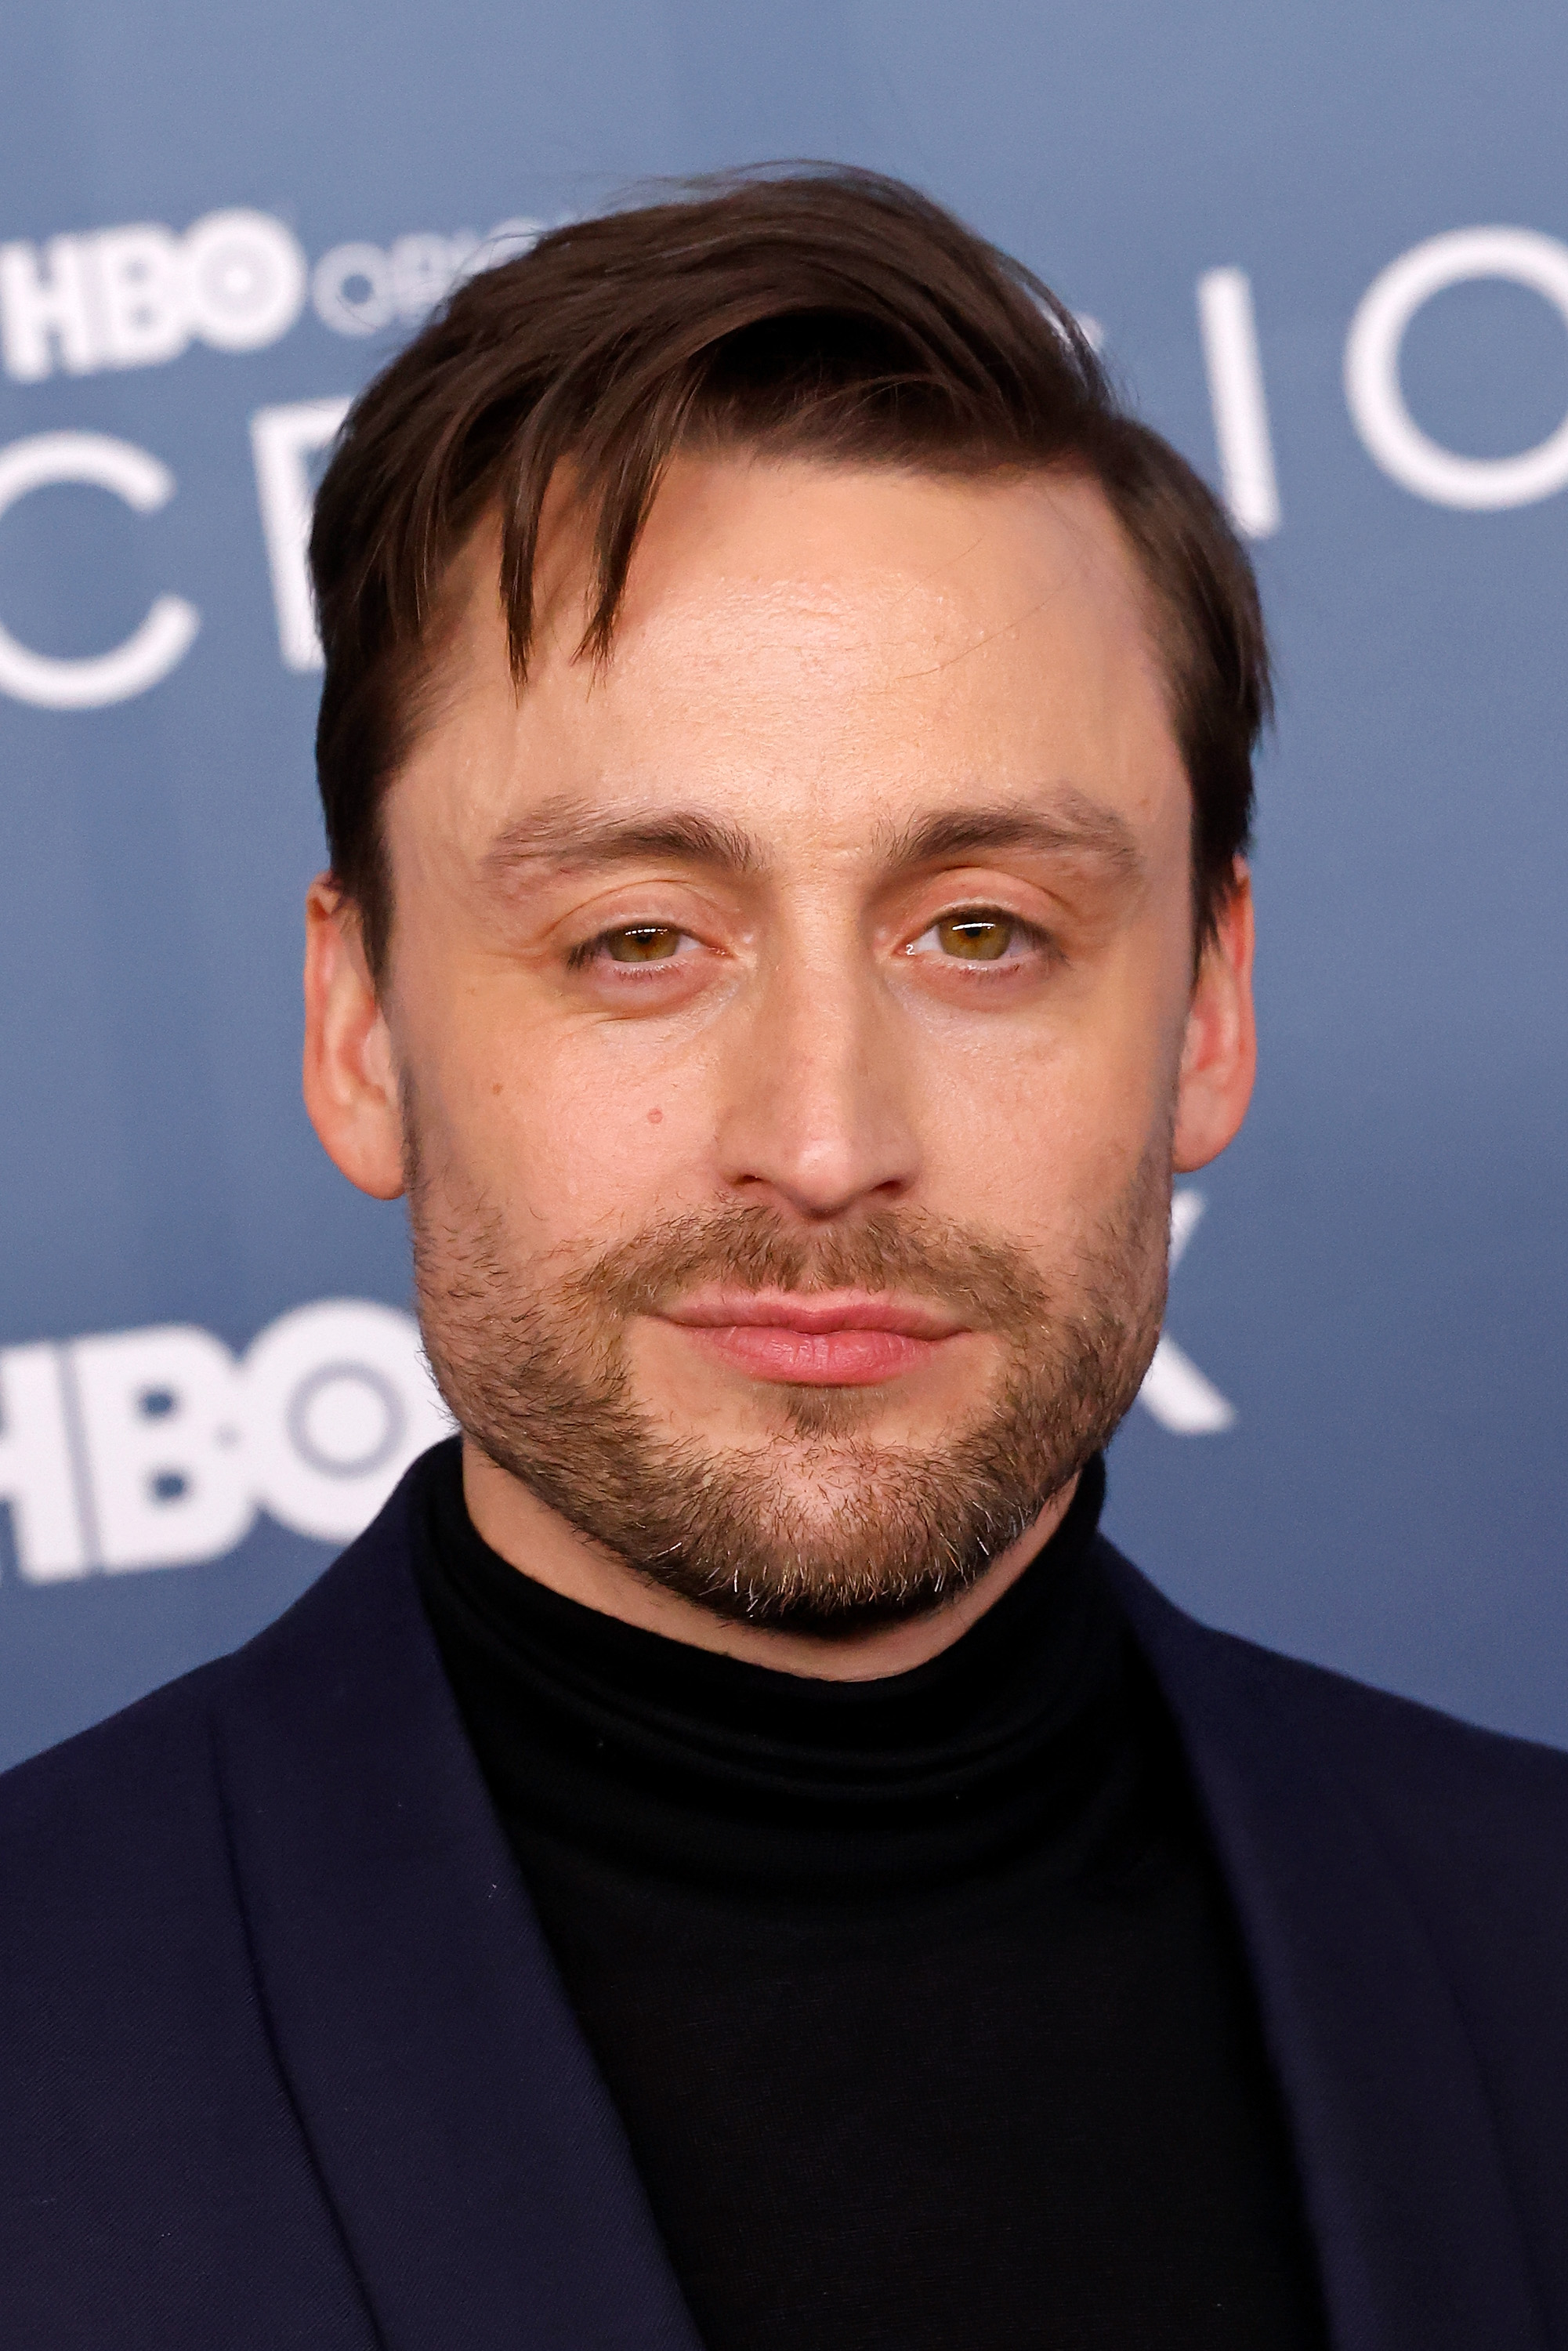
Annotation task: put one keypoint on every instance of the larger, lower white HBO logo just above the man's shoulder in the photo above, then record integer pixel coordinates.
(149, 1449)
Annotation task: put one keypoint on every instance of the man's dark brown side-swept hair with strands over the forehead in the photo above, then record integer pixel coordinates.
(817, 312)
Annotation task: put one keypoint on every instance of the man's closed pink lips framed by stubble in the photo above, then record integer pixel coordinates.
(847, 1339)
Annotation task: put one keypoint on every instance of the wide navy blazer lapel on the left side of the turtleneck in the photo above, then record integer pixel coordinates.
(464, 2138)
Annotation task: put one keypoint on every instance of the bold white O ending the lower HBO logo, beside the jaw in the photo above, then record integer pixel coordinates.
(337, 1405)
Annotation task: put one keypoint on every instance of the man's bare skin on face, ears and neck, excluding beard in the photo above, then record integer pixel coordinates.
(716, 930)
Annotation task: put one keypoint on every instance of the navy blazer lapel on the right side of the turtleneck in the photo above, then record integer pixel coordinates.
(1402, 2171)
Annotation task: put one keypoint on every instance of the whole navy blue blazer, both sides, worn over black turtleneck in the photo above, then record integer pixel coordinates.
(286, 2063)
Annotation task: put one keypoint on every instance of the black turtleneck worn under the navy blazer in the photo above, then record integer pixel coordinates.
(918, 1997)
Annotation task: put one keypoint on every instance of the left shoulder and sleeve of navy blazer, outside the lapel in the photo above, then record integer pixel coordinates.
(154, 2178)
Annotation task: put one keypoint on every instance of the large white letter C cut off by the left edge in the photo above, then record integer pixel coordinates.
(168, 631)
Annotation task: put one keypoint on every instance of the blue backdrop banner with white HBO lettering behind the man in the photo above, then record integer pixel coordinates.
(1327, 250)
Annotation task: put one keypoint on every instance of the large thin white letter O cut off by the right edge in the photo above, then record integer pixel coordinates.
(1372, 368)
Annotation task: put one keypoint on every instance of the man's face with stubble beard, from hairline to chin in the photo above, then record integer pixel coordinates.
(791, 1026)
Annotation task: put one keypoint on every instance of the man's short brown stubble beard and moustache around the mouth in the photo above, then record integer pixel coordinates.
(817, 1527)
